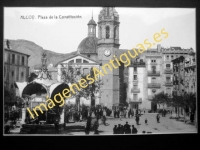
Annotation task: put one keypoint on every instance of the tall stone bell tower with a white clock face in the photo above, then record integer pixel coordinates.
(108, 45)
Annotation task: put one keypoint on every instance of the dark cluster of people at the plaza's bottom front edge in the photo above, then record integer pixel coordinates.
(124, 129)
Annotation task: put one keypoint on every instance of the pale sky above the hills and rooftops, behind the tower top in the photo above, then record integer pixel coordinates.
(63, 35)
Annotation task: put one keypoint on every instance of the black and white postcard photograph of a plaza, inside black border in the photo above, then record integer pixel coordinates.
(93, 71)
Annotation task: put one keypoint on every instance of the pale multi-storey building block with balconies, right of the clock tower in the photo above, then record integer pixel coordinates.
(156, 76)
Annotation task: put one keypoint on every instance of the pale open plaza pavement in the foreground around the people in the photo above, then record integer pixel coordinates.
(166, 126)
